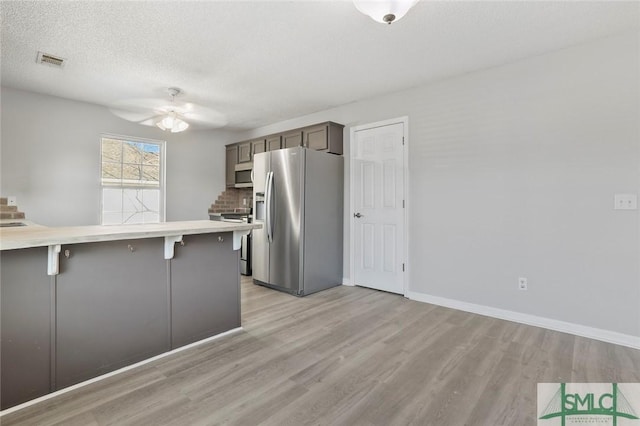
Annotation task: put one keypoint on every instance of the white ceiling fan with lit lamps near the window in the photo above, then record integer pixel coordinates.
(170, 115)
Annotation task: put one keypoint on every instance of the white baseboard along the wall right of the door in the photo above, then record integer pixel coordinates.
(551, 324)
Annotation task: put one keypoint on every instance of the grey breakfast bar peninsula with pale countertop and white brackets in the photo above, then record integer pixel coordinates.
(79, 302)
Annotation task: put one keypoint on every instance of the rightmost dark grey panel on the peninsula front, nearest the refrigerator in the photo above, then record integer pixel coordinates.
(205, 288)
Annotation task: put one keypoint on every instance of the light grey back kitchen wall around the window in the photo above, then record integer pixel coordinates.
(50, 156)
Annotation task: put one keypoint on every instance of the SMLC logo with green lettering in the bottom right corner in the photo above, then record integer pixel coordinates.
(587, 402)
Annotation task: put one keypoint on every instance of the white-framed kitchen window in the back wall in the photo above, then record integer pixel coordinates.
(132, 176)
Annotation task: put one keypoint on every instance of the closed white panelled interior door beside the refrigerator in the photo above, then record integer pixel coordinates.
(377, 170)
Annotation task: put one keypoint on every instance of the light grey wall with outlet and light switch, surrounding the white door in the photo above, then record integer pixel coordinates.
(513, 172)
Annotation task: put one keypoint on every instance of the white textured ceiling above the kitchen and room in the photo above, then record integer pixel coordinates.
(260, 62)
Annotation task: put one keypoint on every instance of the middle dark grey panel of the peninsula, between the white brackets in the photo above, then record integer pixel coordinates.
(112, 307)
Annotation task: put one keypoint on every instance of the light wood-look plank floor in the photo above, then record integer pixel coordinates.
(345, 356)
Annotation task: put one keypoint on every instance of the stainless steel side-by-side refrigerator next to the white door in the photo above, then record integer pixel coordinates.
(298, 199)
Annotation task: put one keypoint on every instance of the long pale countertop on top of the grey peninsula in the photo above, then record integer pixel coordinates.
(34, 235)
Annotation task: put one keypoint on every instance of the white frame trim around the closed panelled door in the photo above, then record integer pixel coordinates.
(405, 187)
